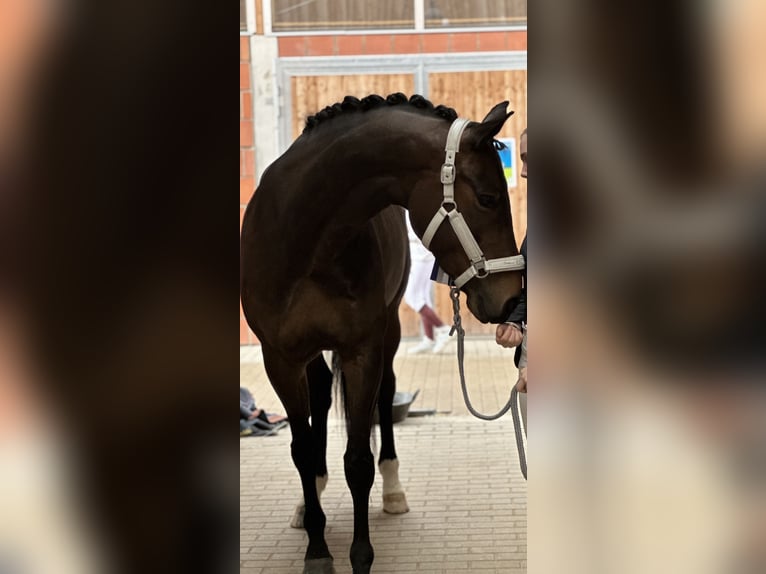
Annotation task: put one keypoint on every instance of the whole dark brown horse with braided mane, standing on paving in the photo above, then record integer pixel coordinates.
(324, 265)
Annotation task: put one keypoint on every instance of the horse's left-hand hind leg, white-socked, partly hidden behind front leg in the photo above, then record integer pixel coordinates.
(320, 397)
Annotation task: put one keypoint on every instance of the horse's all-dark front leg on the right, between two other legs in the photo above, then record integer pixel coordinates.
(362, 374)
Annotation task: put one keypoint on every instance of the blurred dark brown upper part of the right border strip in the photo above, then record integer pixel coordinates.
(633, 199)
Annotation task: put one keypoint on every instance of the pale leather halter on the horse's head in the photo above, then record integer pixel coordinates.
(480, 266)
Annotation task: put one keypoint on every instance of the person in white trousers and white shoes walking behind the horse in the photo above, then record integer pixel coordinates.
(419, 296)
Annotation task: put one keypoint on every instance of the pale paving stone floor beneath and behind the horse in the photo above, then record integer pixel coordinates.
(466, 494)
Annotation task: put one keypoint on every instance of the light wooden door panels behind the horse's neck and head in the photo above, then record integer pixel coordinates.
(472, 94)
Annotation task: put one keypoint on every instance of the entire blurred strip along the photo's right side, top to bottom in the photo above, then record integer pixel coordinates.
(648, 229)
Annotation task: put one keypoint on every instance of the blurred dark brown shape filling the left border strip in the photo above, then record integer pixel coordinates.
(130, 272)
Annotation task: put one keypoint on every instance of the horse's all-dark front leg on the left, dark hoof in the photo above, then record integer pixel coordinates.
(290, 383)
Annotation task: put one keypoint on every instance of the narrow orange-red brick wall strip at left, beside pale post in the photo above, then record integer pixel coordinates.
(246, 153)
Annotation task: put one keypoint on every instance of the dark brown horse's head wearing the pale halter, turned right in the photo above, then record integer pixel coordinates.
(481, 198)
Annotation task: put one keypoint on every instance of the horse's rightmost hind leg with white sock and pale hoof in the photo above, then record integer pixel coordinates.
(394, 499)
